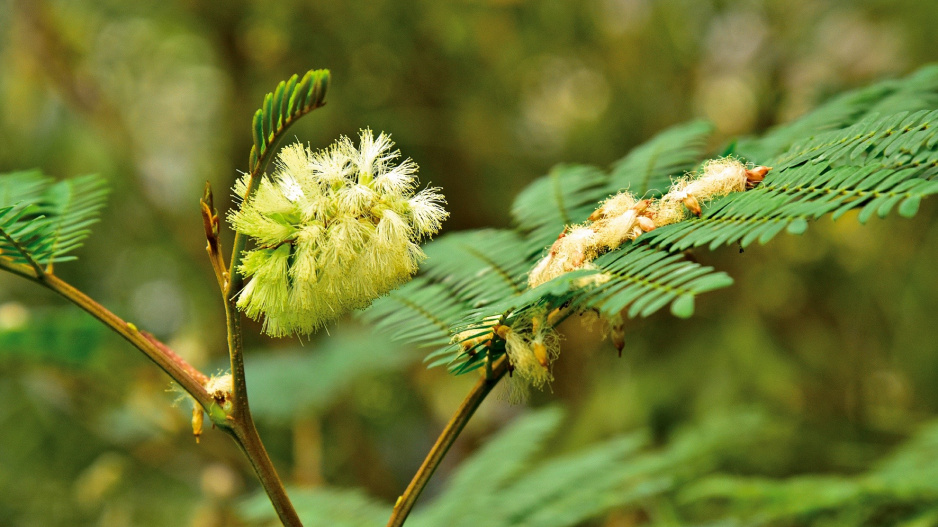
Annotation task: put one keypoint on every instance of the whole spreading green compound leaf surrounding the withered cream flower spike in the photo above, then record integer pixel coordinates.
(843, 157)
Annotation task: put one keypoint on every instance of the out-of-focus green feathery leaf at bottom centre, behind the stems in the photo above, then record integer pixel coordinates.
(509, 483)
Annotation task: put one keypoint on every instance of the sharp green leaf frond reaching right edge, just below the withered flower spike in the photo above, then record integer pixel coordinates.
(873, 166)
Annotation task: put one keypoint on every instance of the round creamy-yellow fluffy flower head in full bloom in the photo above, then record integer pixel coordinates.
(333, 230)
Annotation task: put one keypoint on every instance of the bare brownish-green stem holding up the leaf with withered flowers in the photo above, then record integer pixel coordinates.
(443, 443)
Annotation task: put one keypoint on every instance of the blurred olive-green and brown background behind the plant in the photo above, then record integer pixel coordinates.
(829, 336)
